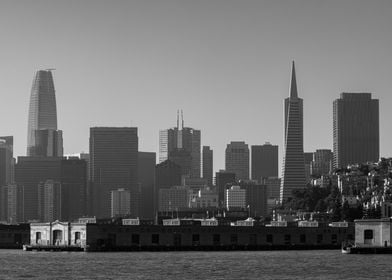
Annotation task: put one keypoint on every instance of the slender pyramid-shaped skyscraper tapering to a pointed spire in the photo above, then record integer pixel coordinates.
(293, 173)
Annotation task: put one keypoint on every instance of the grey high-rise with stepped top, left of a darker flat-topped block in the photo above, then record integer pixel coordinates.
(237, 159)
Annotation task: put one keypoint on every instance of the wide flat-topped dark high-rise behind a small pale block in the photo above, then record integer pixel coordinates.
(113, 165)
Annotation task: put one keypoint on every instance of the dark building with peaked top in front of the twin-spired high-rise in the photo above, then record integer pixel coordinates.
(167, 175)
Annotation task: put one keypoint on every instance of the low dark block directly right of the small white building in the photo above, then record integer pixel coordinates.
(256, 199)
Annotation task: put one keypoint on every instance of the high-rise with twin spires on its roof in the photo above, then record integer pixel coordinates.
(181, 145)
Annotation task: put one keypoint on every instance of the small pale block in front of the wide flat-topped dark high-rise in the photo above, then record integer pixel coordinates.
(120, 203)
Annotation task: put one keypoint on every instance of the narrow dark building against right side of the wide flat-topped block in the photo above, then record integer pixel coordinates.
(146, 178)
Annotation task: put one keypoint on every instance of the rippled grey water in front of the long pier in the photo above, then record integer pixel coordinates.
(17, 264)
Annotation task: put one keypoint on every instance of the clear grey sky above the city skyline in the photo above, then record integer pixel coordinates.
(225, 63)
